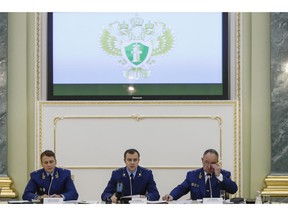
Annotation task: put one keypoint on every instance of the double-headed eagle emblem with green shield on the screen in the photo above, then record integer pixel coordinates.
(136, 44)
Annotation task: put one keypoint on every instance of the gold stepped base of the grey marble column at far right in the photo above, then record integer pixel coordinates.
(276, 186)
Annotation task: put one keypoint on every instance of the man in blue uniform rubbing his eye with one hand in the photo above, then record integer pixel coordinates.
(206, 181)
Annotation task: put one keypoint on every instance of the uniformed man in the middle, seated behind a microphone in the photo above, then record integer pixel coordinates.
(130, 180)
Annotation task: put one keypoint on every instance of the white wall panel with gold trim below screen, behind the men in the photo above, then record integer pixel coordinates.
(90, 138)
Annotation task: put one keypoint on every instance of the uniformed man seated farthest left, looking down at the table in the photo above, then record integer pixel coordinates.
(50, 181)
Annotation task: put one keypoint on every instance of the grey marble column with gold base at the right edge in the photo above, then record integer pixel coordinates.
(277, 181)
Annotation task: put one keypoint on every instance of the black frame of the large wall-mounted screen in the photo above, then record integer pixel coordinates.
(151, 96)
